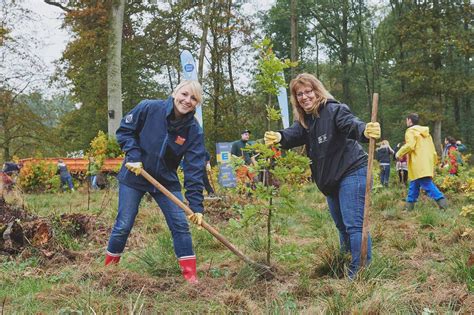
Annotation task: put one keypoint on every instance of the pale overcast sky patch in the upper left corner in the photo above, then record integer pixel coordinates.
(38, 41)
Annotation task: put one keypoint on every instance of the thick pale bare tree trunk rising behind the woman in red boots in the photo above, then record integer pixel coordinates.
(114, 69)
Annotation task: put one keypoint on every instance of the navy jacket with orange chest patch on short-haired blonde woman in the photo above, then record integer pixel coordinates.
(148, 134)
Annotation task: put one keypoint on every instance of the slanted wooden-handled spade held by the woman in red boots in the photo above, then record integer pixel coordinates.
(263, 270)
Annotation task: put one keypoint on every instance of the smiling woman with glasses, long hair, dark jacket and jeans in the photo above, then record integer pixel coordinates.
(339, 164)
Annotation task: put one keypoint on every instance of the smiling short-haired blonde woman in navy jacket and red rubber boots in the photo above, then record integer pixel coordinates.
(156, 135)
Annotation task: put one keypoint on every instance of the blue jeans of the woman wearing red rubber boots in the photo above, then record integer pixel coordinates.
(129, 200)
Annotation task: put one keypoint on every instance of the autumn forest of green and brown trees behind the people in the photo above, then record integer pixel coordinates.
(416, 54)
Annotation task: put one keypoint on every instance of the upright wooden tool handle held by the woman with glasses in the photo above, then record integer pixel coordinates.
(368, 186)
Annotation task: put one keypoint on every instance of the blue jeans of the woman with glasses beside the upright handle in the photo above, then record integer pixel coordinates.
(346, 206)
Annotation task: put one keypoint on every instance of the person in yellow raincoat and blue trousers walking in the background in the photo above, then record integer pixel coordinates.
(421, 153)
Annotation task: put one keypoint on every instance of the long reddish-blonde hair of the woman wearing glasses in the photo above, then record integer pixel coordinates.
(320, 93)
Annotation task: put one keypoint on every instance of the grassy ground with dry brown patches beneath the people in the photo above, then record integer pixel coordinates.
(419, 261)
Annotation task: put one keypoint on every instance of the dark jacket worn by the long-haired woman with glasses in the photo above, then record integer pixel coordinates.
(331, 144)
